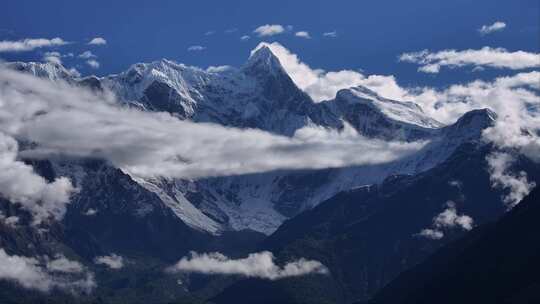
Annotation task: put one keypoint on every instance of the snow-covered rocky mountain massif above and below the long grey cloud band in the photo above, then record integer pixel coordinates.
(261, 95)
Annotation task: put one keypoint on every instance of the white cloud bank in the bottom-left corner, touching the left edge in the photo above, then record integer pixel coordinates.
(44, 274)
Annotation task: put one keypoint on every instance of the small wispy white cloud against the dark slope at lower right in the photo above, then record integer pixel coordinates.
(447, 219)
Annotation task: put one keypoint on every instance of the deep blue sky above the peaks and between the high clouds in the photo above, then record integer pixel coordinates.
(371, 34)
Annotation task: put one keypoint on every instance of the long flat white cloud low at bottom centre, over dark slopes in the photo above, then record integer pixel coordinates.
(256, 265)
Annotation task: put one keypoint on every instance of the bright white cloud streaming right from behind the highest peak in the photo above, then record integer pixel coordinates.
(322, 85)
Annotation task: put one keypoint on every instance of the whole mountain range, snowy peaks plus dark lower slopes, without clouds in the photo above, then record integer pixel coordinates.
(364, 223)
